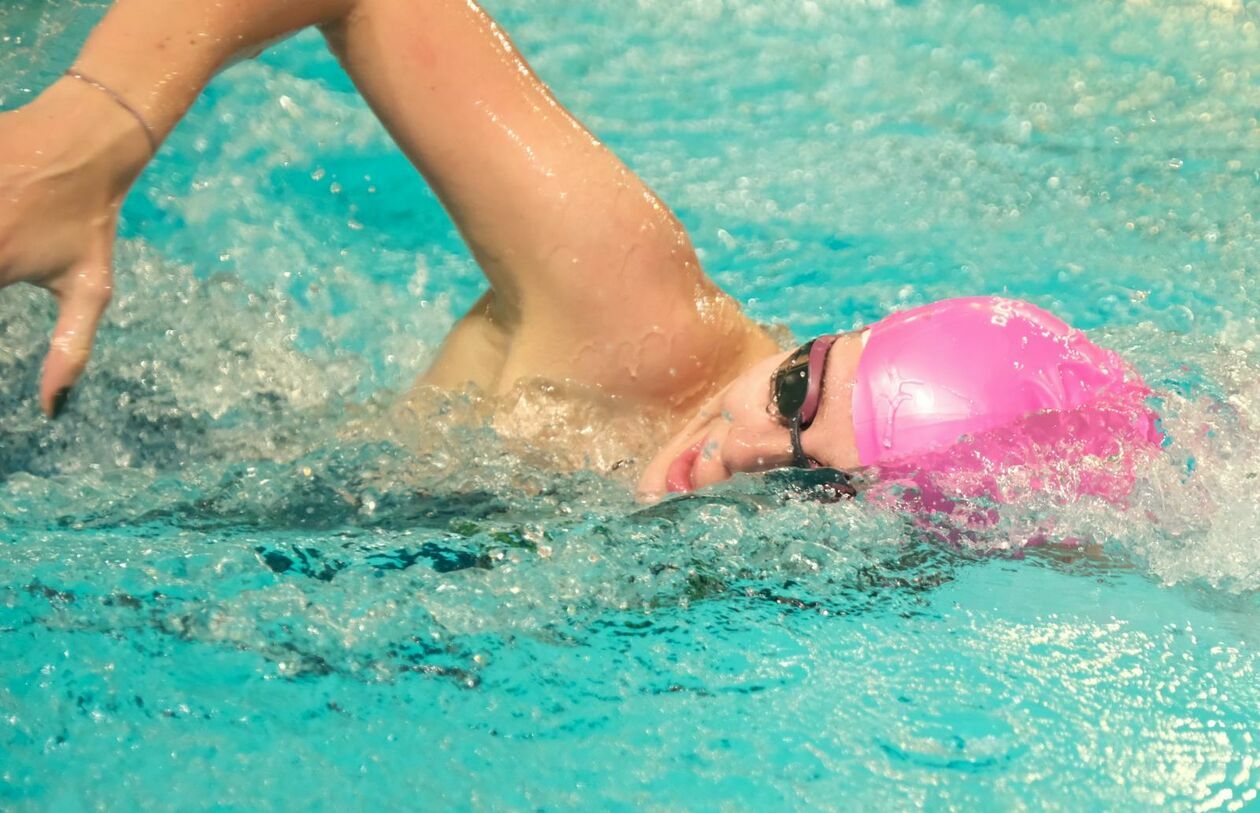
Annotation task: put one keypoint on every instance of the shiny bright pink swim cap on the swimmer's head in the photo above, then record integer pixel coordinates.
(1015, 384)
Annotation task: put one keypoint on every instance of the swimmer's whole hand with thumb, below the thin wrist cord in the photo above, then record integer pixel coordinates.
(66, 164)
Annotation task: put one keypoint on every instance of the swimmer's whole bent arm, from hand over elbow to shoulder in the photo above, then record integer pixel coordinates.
(574, 244)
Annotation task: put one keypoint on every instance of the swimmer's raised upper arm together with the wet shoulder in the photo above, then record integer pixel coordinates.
(600, 275)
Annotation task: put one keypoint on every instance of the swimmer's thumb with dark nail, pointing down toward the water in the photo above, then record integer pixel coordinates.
(81, 302)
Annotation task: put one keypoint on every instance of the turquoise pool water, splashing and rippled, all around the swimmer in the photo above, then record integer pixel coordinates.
(229, 583)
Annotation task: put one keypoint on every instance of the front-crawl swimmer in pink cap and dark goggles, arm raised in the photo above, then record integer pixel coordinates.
(593, 280)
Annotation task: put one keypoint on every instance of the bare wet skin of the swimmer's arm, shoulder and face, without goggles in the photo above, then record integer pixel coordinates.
(594, 282)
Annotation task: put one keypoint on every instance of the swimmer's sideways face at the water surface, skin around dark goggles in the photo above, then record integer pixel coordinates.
(739, 430)
